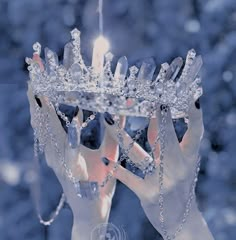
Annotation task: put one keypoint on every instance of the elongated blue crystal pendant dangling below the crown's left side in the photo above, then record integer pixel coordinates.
(73, 134)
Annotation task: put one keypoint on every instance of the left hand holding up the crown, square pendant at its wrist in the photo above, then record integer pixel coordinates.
(85, 164)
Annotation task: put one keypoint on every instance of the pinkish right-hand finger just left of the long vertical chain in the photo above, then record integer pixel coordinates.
(153, 137)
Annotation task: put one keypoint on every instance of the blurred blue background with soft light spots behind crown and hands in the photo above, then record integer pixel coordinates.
(138, 29)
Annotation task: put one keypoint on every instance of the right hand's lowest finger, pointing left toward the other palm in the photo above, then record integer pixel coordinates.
(133, 182)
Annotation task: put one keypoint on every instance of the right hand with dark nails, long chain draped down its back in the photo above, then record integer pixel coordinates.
(180, 163)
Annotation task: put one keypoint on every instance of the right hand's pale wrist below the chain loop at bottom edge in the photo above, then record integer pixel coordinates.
(195, 227)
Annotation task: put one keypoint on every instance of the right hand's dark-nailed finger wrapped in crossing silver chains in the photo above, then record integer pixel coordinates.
(136, 153)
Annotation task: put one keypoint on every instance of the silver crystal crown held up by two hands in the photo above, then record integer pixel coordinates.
(127, 91)
